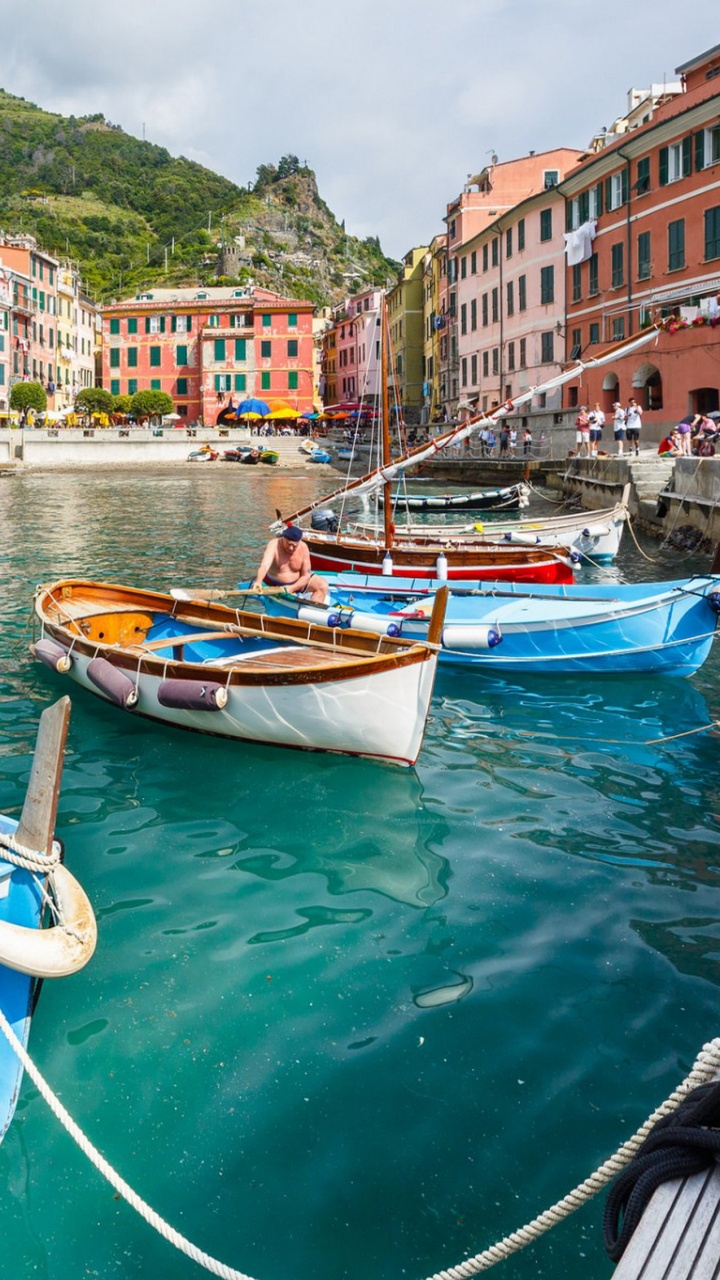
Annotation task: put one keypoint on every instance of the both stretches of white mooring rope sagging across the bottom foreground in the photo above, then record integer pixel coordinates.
(705, 1069)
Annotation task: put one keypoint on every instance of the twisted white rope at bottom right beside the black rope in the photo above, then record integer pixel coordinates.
(707, 1066)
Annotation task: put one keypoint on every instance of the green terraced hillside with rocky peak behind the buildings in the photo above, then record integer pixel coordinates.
(133, 216)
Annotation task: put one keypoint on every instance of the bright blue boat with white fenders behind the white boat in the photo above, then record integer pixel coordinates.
(663, 628)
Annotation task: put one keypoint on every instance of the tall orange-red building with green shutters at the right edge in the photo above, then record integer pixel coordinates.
(644, 245)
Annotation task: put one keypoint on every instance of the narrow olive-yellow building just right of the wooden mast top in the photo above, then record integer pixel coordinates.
(407, 336)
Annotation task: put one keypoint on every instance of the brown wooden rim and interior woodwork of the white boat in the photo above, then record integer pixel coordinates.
(354, 656)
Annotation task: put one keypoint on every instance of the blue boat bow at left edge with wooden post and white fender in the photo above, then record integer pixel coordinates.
(30, 953)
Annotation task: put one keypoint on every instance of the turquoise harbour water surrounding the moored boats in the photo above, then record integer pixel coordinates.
(267, 1044)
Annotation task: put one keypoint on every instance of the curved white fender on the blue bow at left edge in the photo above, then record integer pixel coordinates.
(65, 948)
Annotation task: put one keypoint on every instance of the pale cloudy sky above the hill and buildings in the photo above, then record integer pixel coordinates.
(393, 103)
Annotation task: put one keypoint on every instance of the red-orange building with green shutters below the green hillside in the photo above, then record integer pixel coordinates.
(208, 346)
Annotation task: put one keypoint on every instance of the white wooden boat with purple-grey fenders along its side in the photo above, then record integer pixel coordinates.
(203, 666)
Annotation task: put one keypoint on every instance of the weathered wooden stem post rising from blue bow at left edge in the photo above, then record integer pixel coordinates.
(38, 821)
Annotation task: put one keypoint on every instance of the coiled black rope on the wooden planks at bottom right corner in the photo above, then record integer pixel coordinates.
(683, 1144)
